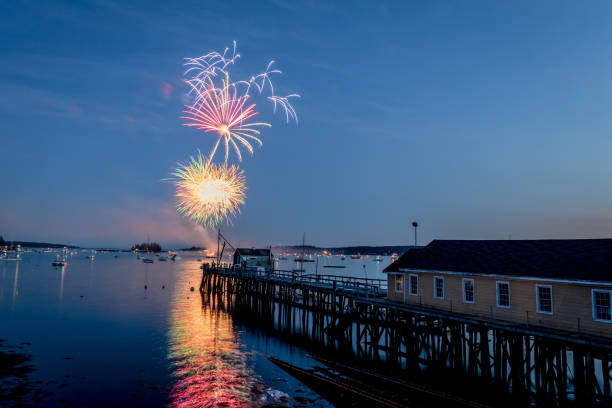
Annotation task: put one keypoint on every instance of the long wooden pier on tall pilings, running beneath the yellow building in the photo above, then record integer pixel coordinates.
(533, 365)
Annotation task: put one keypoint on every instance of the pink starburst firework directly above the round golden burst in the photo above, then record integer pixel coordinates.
(222, 111)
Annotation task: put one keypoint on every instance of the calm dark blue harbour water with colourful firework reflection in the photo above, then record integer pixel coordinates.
(97, 337)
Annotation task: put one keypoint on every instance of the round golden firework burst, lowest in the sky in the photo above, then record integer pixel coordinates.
(207, 193)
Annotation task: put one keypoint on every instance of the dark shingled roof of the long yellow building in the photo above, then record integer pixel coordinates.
(568, 259)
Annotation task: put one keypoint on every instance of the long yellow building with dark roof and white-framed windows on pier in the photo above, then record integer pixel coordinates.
(564, 284)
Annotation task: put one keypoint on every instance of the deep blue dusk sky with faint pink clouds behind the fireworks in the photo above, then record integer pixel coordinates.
(479, 120)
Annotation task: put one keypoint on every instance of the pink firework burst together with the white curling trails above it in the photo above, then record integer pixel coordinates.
(220, 104)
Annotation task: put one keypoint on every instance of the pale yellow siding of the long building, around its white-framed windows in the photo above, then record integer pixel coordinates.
(572, 303)
